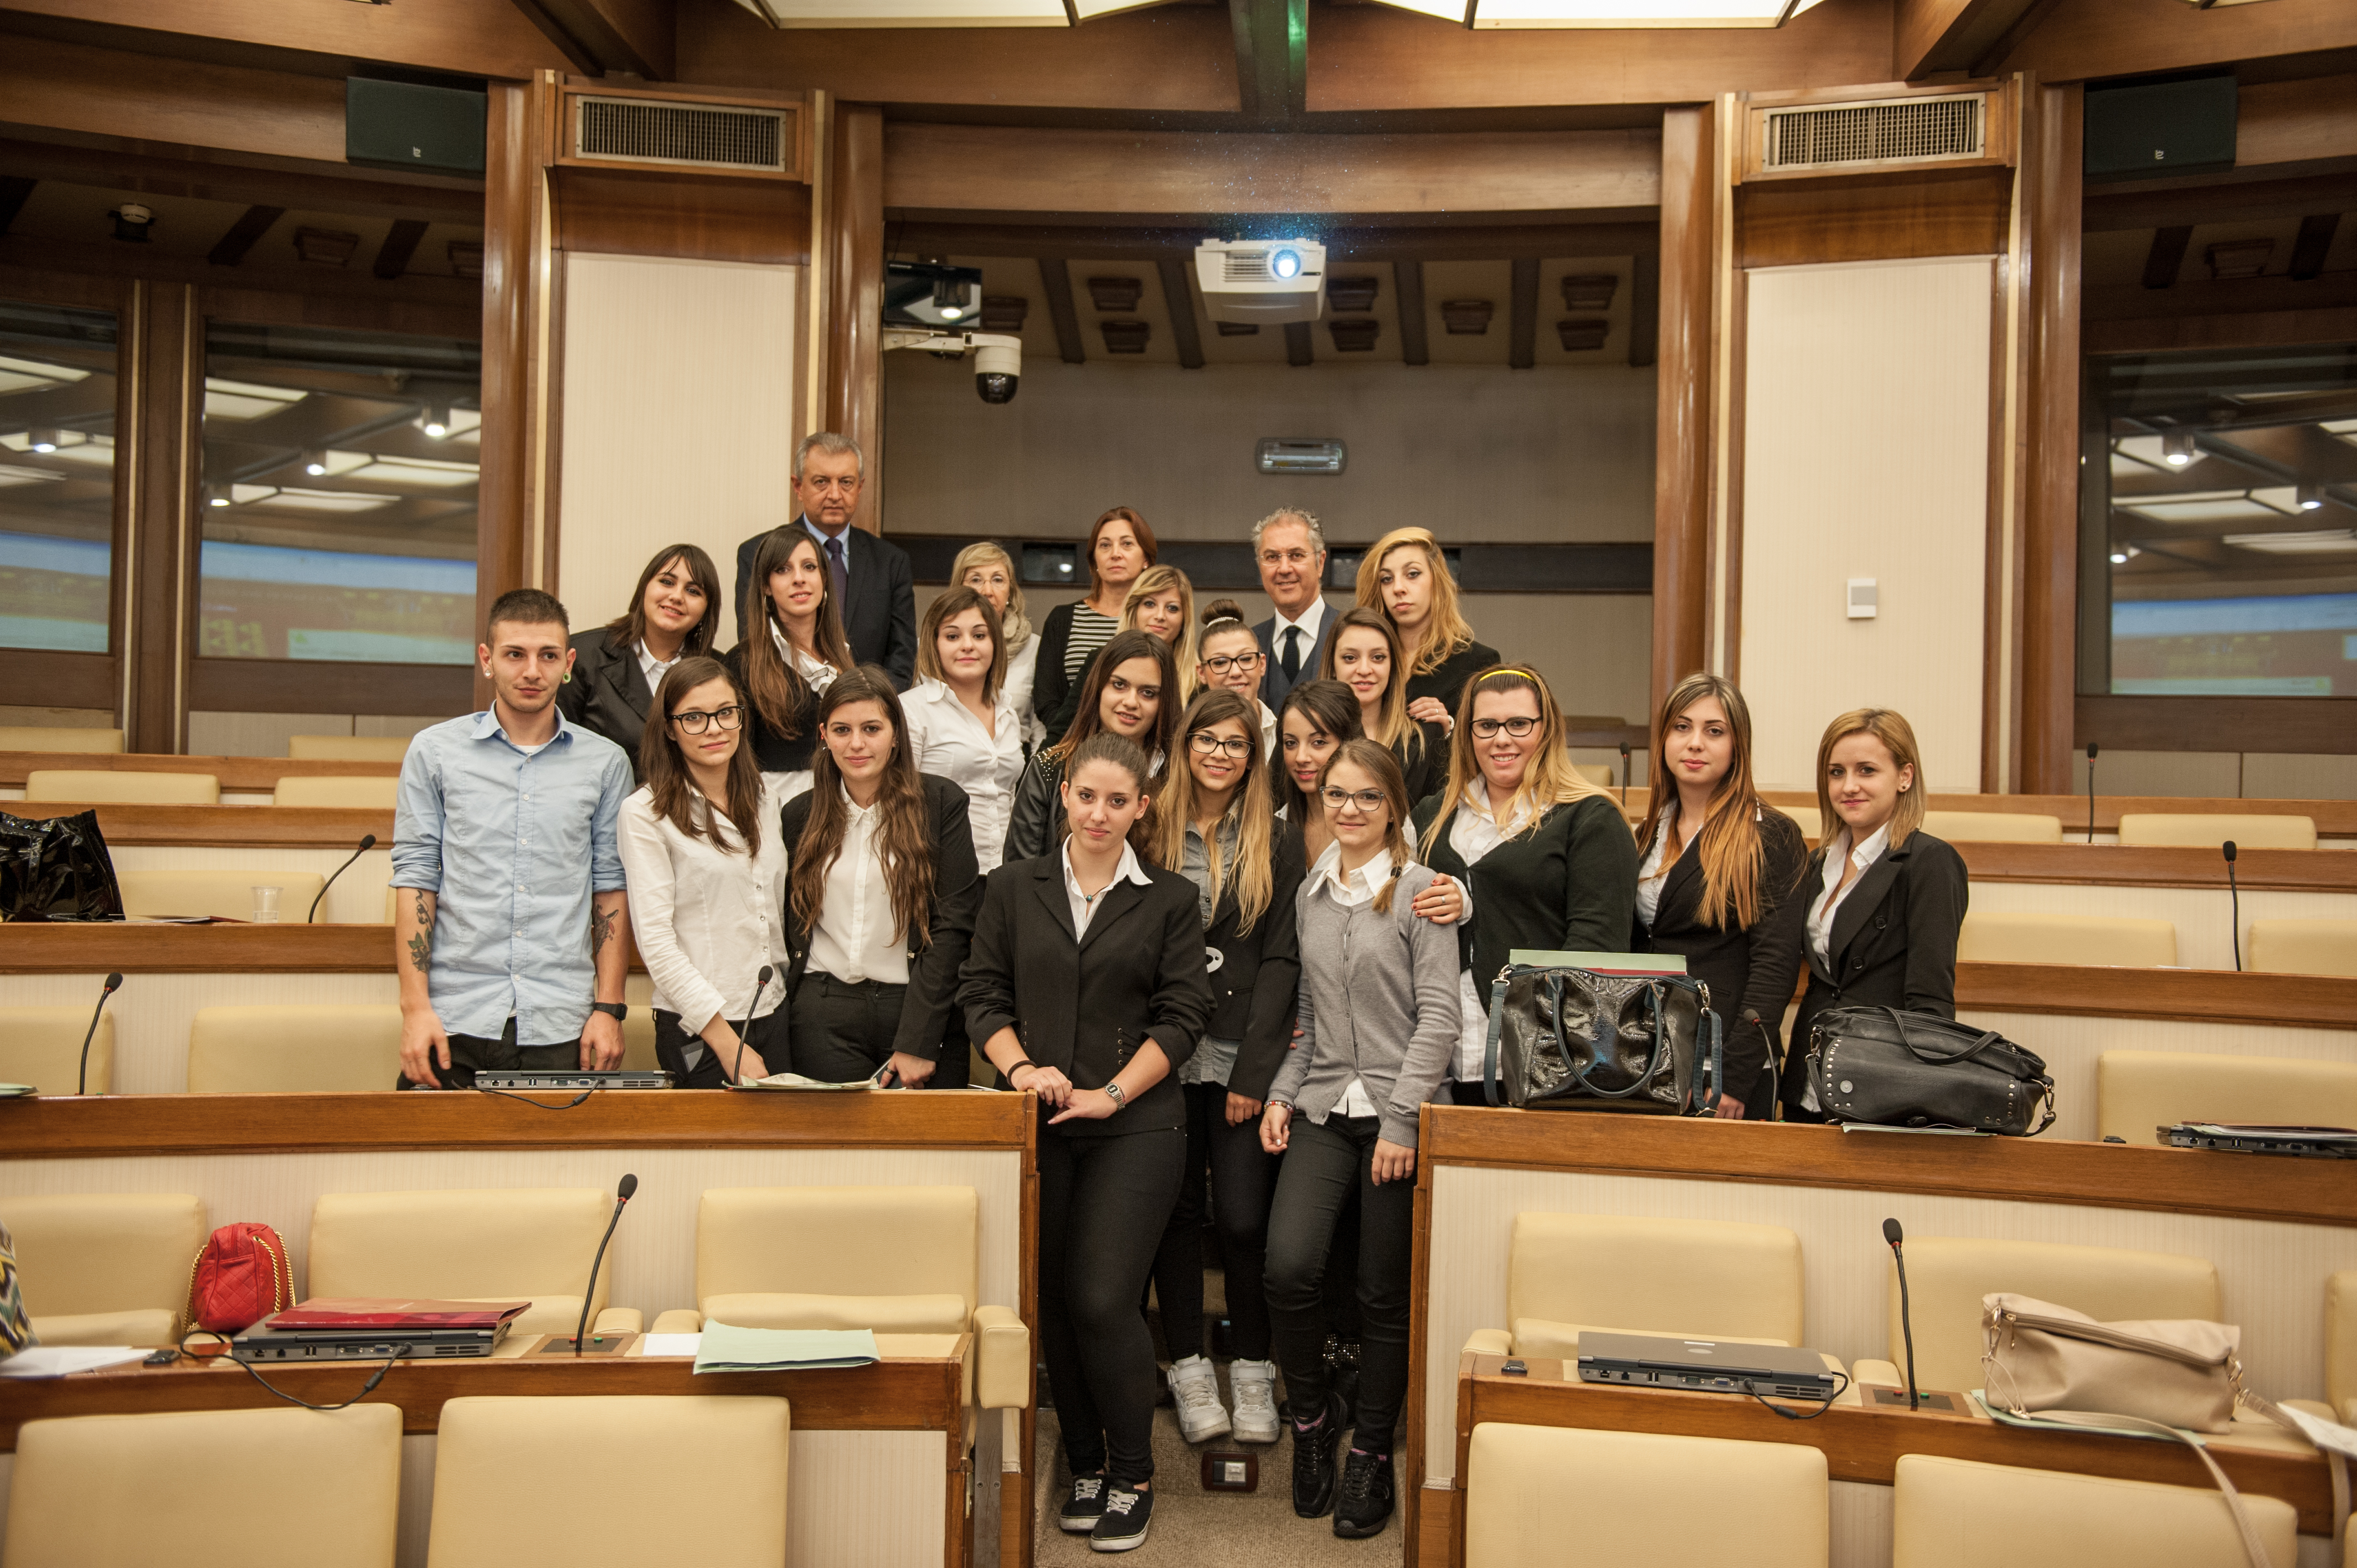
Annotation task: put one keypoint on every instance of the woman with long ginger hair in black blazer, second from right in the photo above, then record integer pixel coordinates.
(1717, 867)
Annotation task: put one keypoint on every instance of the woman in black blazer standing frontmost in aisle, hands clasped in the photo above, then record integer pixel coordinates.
(1088, 989)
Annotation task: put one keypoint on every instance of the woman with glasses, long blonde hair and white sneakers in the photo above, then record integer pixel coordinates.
(1213, 824)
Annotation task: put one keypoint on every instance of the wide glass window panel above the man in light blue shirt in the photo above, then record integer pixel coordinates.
(341, 496)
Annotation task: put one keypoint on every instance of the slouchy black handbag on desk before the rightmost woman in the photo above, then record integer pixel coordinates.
(1917, 1069)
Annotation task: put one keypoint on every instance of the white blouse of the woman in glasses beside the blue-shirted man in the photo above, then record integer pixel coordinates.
(708, 918)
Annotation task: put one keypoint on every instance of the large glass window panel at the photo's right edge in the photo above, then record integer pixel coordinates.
(2224, 522)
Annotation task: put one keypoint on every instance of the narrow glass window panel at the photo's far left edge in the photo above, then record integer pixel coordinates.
(58, 475)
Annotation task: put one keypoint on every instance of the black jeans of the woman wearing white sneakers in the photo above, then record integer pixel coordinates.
(1241, 1178)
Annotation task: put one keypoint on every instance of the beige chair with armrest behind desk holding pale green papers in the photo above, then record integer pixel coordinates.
(897, 1260)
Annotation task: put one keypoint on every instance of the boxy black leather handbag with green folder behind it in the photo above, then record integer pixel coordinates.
(1585, 1041)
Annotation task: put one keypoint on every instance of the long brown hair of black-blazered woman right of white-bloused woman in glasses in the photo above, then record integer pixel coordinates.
(904, 841)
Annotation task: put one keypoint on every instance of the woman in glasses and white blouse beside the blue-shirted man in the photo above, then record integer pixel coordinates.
(706, 871)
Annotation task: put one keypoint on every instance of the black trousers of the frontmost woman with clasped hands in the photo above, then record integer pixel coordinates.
(1104, 1201)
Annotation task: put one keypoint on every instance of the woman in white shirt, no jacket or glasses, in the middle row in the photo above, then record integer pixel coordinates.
(960, 720)
